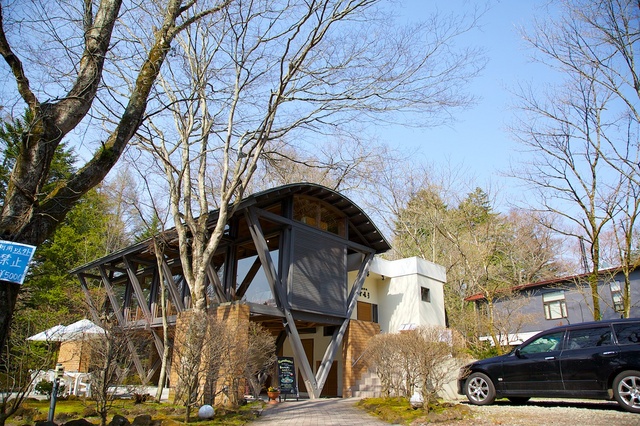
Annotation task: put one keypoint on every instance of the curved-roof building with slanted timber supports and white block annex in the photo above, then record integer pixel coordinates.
(301, 260)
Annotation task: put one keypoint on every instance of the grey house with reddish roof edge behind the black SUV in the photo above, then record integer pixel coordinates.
(538, 306)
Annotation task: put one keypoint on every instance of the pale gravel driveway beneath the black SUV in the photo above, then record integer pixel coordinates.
(545, 412)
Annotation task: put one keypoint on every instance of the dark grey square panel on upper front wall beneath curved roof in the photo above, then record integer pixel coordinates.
(318, 279)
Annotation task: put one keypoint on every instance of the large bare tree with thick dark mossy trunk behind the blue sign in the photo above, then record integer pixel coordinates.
(57, 54)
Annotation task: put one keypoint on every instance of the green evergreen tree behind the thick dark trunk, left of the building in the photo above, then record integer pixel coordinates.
(50, 294)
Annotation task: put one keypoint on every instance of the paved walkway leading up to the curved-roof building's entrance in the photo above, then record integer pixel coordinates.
(319, 412)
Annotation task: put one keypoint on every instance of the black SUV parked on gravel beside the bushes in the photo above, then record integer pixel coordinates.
(596, 360)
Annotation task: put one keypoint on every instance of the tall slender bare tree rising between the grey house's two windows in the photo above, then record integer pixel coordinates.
(579, 133)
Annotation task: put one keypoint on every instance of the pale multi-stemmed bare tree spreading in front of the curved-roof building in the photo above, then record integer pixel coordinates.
(262, 75)
